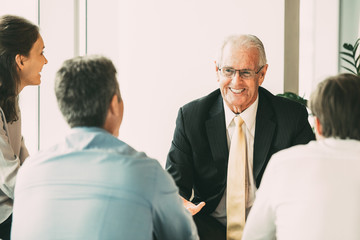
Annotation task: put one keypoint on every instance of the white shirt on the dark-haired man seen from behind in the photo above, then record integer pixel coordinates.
(309, 192)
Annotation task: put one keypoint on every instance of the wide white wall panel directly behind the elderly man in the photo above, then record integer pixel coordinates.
(166, 51)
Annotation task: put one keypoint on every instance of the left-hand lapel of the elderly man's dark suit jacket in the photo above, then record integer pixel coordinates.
(216, 132)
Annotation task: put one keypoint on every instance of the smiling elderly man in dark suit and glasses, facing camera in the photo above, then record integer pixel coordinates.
(199, 154)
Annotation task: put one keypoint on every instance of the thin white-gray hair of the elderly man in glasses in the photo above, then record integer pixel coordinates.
(247, 41)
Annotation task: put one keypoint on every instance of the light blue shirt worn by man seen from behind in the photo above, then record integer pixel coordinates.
(94, 186)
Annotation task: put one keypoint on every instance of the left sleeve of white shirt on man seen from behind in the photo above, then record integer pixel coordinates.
(260, 223)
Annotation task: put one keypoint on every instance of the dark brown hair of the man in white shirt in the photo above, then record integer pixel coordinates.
(335, 102)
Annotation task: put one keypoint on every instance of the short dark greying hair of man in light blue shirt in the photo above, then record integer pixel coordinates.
(84, 88)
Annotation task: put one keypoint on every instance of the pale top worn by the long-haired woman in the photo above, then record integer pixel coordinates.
(12, 154)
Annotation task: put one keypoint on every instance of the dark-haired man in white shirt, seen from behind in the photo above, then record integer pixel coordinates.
(312, 191)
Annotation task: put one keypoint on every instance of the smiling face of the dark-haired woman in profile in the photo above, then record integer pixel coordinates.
(31, 66)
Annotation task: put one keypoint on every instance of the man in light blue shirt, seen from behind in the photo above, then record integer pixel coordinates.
(92, 185)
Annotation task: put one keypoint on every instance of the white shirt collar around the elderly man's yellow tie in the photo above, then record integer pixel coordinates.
(249, 115)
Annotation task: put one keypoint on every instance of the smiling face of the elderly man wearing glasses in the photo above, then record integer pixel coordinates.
(239, 93)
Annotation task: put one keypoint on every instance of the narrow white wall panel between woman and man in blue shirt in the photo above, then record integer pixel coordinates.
(57, 29)
